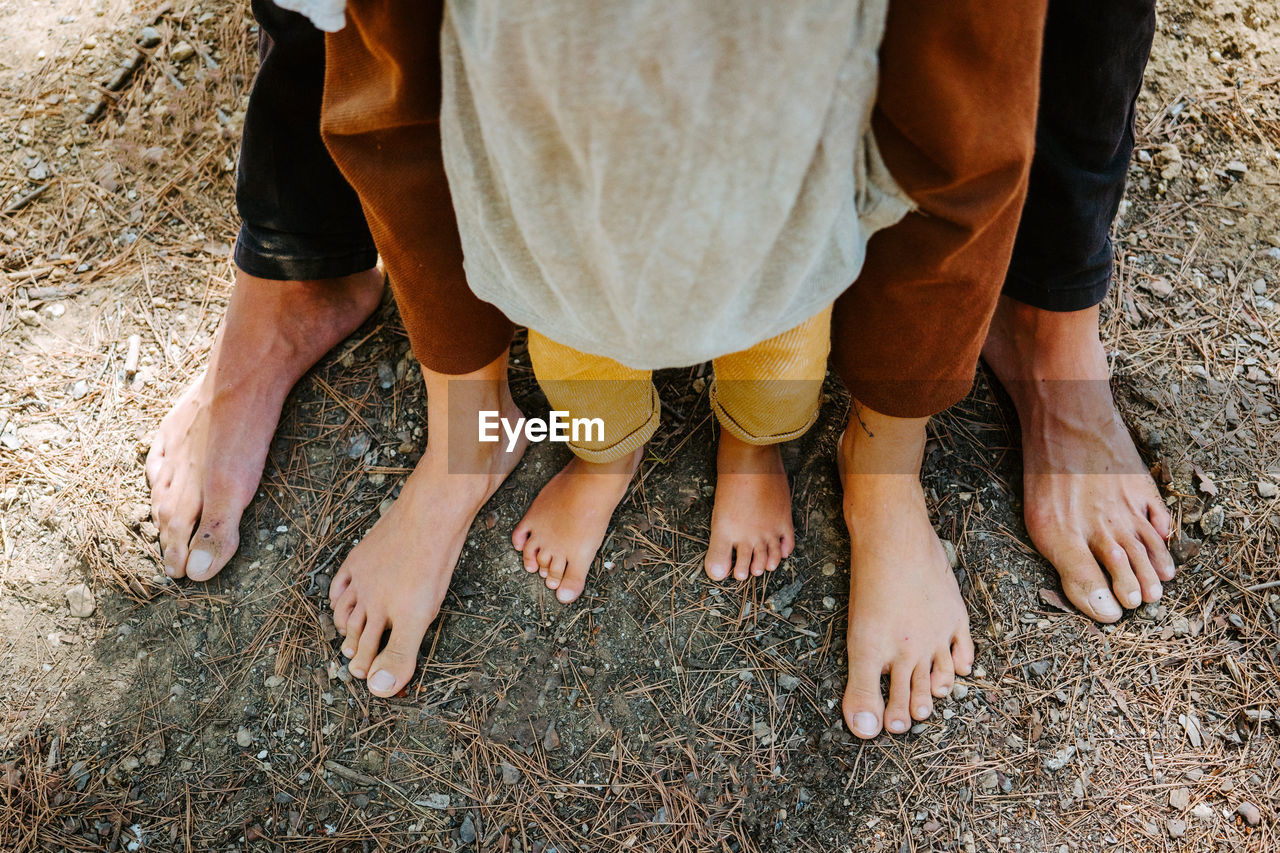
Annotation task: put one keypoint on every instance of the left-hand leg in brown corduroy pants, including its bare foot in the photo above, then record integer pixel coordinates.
(381, 122)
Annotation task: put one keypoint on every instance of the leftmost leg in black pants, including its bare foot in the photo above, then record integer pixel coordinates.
(305, 281)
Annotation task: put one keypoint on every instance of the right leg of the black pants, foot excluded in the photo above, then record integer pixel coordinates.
(1095, 56)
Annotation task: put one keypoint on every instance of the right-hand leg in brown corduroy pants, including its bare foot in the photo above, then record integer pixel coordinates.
(956, 124)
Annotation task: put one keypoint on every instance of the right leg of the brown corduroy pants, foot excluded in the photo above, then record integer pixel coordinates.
(956, 121)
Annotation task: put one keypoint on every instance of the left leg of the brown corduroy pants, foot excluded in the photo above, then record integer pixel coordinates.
(382, 124)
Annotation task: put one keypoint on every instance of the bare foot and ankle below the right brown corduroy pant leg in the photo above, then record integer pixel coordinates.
(907, 618)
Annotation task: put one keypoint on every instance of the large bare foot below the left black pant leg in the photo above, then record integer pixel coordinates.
(207, 459)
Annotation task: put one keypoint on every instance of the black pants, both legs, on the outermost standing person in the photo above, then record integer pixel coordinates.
(301, 220)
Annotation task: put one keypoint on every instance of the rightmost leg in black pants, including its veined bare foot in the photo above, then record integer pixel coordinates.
(1091, 507)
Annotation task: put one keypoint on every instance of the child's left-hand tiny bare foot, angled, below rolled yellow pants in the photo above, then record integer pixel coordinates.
(566, 526)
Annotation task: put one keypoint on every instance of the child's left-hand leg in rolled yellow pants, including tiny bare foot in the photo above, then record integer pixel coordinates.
(565, 527)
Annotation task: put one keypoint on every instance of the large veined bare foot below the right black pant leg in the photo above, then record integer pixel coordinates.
(1090, 501)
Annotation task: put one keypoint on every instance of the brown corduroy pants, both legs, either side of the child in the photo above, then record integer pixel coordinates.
(956, 122)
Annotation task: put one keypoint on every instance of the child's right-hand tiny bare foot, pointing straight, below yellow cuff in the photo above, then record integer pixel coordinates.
(752, 530)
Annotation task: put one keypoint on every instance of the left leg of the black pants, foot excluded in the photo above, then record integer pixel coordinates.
(301, 218)
